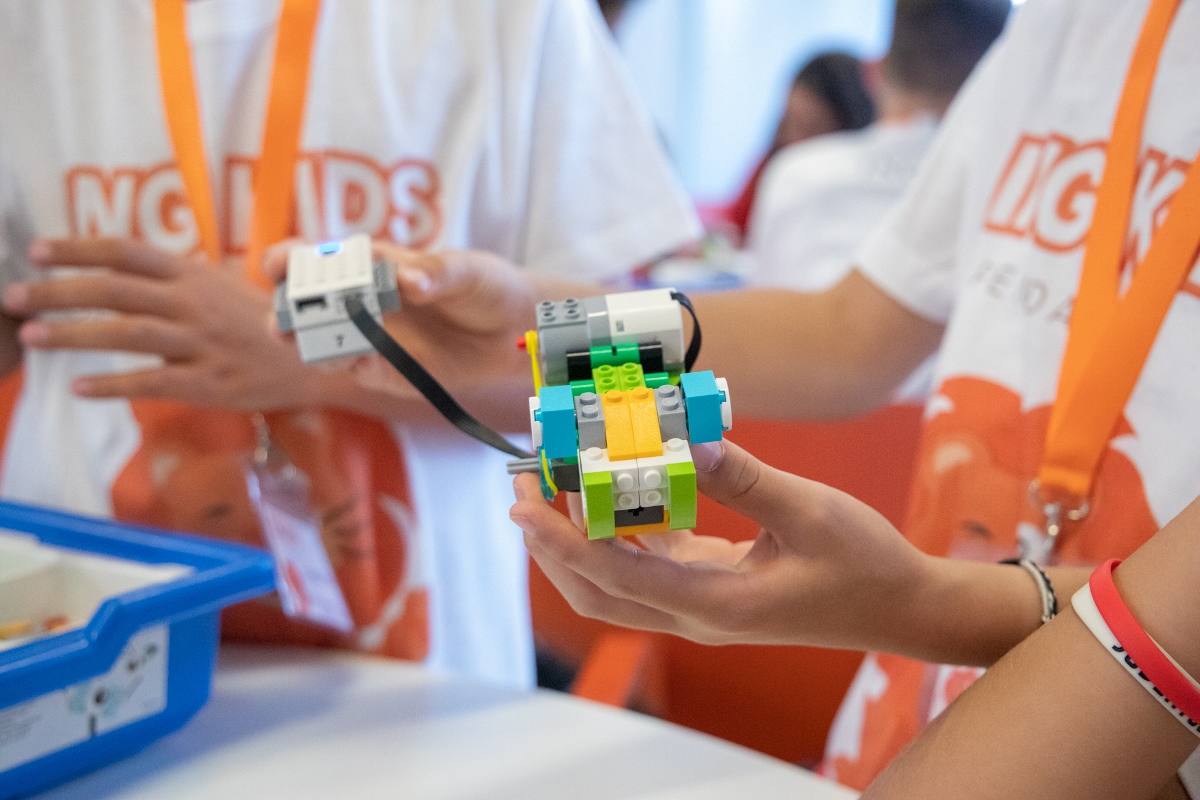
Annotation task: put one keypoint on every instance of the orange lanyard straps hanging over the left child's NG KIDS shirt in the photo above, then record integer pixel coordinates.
(275, 172)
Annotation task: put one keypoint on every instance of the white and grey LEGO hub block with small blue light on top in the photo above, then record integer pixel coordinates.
(313, 300)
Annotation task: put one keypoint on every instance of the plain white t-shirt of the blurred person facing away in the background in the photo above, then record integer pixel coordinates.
(819, 201)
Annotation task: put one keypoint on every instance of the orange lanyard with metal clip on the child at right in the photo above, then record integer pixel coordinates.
(1111, 335)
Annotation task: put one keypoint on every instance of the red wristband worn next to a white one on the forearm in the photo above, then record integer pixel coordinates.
(1141, 649)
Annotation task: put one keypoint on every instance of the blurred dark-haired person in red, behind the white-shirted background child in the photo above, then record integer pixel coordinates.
(826, 97)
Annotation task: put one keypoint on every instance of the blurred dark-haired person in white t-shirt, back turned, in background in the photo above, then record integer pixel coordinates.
(820, 199)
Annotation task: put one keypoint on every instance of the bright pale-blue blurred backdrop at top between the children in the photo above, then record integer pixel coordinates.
(715, 74)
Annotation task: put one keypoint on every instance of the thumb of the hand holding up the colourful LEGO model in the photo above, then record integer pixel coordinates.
(737, 480)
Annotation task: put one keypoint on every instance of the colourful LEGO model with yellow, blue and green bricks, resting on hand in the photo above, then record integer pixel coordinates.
(620, 410)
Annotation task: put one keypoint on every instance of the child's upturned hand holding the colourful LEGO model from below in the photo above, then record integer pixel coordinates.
(826, 570)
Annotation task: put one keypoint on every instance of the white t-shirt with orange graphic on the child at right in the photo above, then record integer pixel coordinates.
(989, 239)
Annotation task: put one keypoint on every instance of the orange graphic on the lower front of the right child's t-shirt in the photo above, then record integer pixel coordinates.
(979, 455)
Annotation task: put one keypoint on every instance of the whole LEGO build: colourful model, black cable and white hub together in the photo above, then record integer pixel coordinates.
(617, 406)
